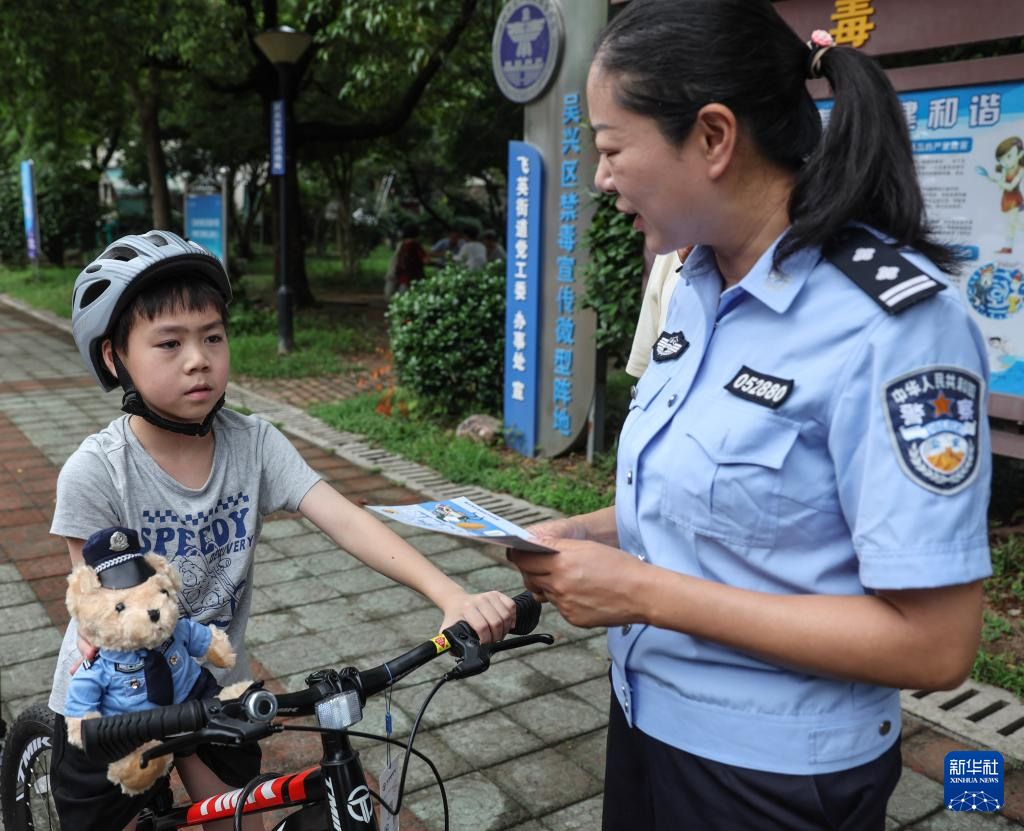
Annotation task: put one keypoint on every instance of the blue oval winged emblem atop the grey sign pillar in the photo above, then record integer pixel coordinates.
(527, 49)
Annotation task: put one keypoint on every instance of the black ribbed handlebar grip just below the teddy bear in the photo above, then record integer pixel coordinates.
(113, 737)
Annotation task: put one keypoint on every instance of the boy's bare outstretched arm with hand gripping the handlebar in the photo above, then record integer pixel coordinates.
(492, 615)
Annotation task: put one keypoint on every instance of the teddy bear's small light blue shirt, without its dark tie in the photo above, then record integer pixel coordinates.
(115, 683)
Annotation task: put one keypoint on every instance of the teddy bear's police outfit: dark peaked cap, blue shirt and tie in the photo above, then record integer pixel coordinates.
(118, 682)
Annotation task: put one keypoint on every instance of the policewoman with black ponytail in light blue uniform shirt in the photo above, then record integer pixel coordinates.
(800, 522)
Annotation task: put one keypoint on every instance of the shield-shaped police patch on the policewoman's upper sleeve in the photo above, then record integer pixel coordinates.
(933, 421)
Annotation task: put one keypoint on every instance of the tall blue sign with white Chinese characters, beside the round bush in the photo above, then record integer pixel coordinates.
(523, 294)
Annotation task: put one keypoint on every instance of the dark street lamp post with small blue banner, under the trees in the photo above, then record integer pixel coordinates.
(283, 48)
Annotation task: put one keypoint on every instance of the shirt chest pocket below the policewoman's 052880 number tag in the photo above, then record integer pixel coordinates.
(730, 473)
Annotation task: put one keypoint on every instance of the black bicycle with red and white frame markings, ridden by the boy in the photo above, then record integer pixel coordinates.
(332, 796)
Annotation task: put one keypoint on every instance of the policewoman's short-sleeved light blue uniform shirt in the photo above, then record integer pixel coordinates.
(861, 463)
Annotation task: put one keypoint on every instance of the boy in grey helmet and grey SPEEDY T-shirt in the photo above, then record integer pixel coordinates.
(196, 480)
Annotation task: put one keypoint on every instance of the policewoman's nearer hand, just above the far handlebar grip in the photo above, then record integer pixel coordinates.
(590, 584)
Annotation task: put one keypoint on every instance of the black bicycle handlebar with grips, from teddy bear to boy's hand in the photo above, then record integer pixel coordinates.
(113, 737)
